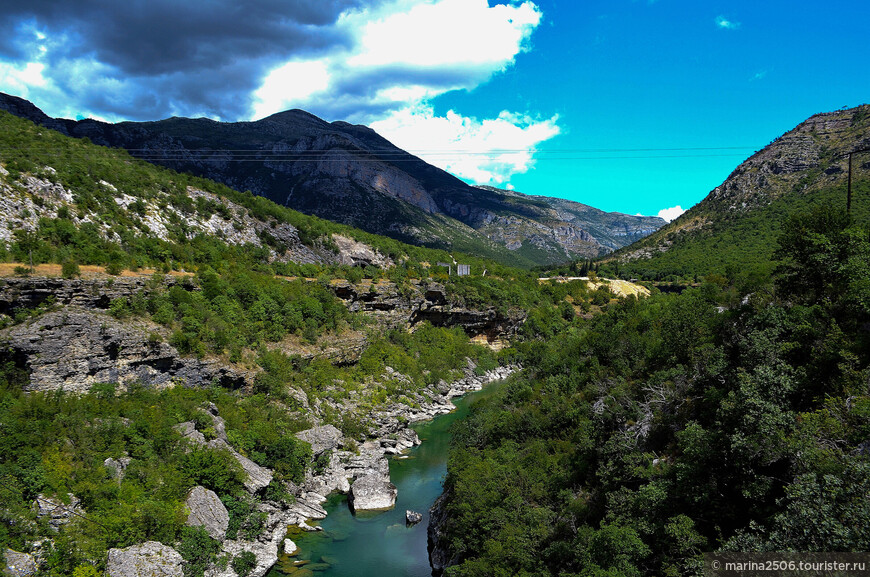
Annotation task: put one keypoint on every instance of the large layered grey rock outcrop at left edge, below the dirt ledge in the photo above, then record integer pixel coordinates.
(74, 349)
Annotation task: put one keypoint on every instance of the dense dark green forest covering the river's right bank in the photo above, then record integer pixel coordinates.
(733, 416)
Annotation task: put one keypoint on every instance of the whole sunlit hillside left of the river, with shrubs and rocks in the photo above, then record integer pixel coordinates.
(187, 371)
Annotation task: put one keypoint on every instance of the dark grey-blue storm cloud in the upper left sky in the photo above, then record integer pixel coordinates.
(170, 56)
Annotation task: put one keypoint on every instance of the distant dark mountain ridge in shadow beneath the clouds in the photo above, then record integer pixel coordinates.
(348, 173)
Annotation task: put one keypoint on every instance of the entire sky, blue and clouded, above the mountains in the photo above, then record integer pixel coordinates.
(640, 106)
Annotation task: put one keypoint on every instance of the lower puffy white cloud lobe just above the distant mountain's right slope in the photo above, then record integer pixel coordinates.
(485, 151)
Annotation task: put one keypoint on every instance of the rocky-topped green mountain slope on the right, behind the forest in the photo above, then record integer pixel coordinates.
(738, 222)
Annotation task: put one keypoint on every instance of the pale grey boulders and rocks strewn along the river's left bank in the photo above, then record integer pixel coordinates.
(360, 470)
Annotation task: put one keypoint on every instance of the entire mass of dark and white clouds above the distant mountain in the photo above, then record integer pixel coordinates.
(379, 63)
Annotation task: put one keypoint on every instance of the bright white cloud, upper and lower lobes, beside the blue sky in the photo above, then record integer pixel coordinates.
(402, 56)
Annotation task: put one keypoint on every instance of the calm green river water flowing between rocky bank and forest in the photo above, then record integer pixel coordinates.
(379, 544)
